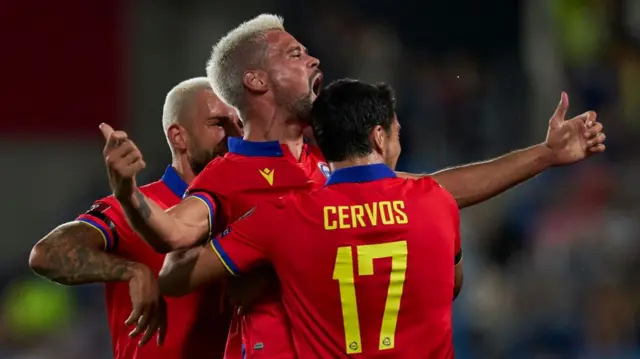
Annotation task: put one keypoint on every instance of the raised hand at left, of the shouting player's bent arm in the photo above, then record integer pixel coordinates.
(123, 161)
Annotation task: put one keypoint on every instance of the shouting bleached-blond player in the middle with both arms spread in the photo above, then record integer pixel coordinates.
(270, 78)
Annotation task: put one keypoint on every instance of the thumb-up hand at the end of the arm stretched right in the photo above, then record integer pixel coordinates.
(574, 139)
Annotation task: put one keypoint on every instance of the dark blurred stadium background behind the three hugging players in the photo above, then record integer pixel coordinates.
(550, 266)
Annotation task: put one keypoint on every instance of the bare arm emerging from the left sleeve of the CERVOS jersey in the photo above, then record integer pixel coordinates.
(186, 270)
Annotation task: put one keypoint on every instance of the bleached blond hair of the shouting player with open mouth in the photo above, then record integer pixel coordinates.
(235, 53)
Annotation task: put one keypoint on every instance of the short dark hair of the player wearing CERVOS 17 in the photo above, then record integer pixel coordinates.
(346, 112)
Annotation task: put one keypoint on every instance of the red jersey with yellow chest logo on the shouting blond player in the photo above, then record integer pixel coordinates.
(252, 173)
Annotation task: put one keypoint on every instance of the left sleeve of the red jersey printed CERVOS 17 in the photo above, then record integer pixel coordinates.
(246, 243)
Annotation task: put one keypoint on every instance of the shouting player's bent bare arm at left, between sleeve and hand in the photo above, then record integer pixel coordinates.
(180, 227)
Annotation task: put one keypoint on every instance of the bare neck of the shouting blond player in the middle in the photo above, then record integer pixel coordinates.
(275, 125)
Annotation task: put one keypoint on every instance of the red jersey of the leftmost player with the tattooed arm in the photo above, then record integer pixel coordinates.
(198, 324)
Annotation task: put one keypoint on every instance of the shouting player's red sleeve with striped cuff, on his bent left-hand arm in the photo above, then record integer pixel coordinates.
(203, 188)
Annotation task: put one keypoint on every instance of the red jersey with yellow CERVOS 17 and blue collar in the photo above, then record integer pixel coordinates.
(366, 264)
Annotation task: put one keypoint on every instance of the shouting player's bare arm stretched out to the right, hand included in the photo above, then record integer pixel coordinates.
(567, 142)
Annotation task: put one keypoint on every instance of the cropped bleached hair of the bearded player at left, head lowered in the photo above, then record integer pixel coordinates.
(178, 98)
